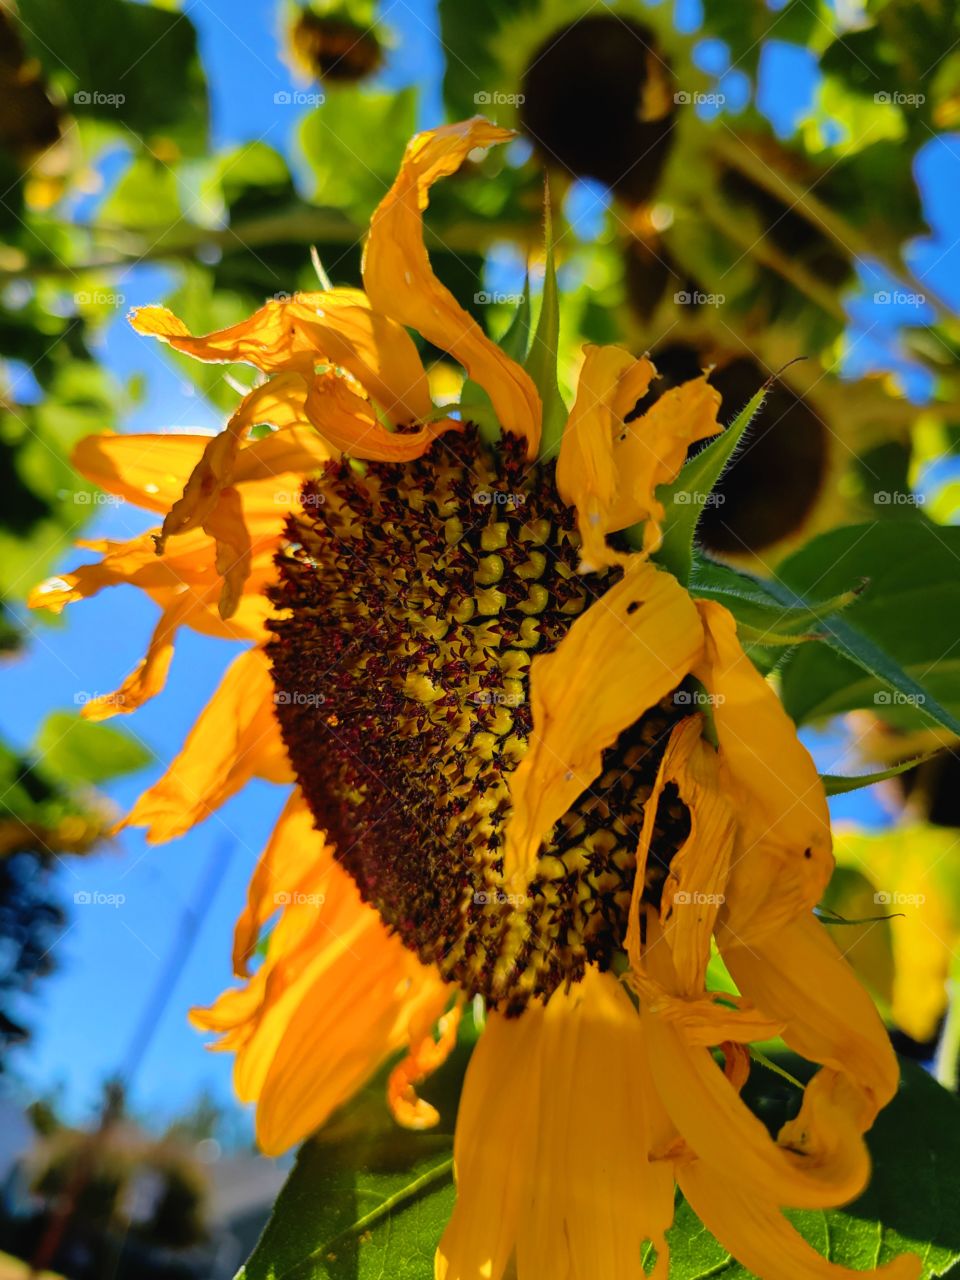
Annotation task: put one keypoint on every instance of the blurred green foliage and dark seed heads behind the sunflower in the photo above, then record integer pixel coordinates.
(715, 241)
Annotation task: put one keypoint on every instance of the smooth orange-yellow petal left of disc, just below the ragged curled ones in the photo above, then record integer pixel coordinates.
(237, 738)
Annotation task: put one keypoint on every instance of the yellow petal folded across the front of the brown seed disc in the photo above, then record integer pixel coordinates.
(632, 648)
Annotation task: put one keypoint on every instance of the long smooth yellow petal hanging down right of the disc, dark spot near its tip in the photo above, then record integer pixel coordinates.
(784, 857)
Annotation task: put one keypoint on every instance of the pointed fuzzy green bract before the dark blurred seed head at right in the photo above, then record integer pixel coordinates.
(685, 500)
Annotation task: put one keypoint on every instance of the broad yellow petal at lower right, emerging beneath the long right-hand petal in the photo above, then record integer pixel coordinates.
(799, 976)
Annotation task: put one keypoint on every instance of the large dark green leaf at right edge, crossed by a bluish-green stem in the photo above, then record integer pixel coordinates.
(895, 648)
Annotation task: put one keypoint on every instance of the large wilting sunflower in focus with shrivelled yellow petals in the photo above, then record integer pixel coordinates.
(527, 766)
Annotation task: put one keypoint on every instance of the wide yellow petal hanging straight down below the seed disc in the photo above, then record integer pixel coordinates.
(572, 1196)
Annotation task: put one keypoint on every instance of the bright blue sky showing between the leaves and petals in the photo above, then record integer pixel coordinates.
(111, 957)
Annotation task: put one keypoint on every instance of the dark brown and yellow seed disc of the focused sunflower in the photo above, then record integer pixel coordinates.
(413, 601)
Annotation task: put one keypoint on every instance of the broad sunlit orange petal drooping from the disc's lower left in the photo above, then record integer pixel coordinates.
(335, 998)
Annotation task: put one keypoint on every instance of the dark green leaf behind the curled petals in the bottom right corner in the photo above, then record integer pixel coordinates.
(909, 1205)
